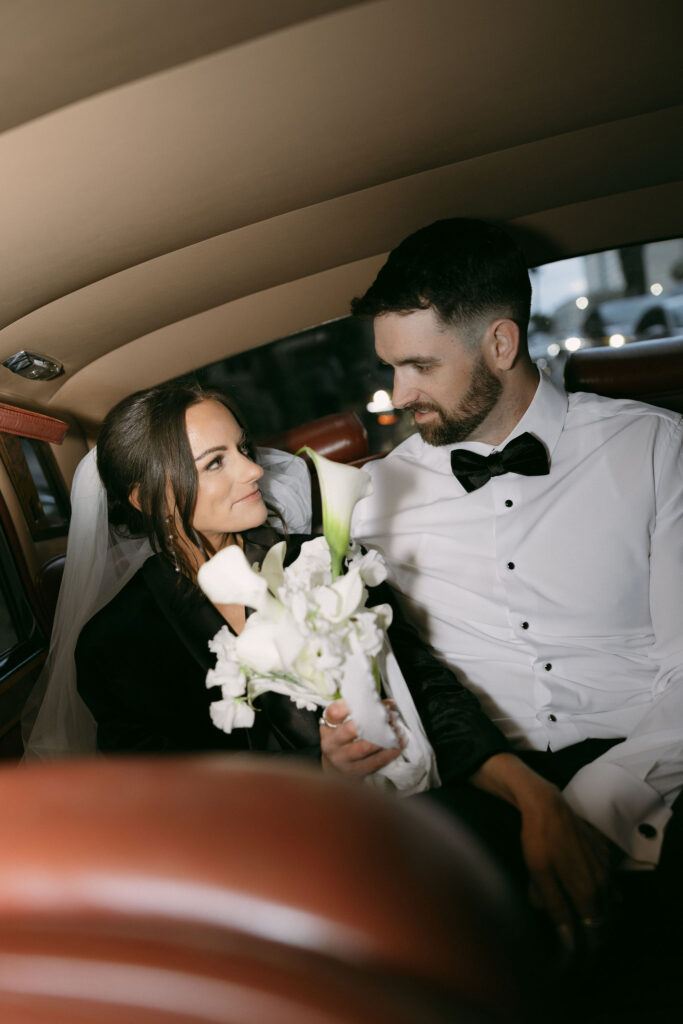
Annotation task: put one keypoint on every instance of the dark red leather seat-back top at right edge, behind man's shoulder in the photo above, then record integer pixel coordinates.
(649, 371)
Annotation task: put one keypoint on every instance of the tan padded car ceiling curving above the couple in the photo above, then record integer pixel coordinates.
(185, 180)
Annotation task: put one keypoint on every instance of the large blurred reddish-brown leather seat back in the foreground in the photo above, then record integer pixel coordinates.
(243, 890)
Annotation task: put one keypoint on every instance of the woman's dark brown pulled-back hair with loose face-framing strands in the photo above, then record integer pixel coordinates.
(144, 443)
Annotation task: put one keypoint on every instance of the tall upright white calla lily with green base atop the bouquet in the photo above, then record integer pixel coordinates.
(341, 488)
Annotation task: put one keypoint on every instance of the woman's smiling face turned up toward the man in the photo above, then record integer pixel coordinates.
(229, 500)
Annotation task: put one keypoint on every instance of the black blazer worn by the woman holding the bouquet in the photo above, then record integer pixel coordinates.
(142, 665)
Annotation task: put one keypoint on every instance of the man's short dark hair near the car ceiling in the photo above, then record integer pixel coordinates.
(468, 272)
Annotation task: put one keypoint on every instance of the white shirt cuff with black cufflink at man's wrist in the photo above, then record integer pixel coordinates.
(627, 810)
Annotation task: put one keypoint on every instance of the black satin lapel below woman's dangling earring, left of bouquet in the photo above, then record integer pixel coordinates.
(191, 616)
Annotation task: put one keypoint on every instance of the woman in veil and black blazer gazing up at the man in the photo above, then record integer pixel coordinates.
(181, 483)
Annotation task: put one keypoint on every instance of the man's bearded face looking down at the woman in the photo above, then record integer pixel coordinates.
(439, 376)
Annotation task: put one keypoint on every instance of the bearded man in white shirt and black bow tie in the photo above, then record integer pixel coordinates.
(537, 541)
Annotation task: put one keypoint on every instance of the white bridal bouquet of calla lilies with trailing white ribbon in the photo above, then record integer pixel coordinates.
(313, 636)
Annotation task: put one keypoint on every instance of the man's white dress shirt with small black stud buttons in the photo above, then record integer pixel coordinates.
(558, 600)
